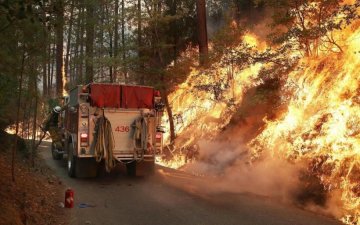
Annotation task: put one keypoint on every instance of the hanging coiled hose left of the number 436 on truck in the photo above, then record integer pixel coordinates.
(104, 143)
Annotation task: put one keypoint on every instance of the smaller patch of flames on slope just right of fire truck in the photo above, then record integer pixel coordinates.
(204, 104)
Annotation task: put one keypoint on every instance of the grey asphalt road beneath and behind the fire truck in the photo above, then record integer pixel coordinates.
(166, 198)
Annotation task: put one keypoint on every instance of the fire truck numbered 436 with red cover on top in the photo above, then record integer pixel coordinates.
(107, 123)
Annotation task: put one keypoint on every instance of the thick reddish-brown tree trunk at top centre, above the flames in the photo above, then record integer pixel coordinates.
(202, 31)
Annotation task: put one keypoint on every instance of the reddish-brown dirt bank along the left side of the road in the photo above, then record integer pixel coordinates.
(35, 197)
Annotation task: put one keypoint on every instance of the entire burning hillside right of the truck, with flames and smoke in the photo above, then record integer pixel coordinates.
(310, 126)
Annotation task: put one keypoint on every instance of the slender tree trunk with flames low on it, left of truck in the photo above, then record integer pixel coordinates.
(59, 46)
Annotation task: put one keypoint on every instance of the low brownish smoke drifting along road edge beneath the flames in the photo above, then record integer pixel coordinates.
(226, 167)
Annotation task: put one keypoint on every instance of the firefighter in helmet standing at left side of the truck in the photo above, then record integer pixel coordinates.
(52, 125)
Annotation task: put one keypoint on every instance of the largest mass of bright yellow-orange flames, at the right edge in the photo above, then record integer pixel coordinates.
(322, 123)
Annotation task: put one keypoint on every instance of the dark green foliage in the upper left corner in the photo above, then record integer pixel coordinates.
(21, 42)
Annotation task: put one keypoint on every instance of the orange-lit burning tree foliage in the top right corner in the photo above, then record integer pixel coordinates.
(309, 23)
